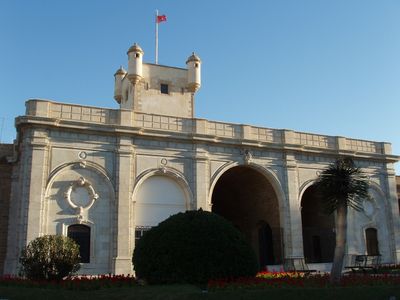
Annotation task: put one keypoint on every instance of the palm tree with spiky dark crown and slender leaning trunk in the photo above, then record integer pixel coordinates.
(340, 186)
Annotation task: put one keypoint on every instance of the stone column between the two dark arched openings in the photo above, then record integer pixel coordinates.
(294, 245)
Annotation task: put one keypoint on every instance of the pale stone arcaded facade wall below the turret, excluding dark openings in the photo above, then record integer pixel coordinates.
(118, 159)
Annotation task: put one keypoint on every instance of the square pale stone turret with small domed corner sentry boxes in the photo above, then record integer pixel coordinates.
(157, 89)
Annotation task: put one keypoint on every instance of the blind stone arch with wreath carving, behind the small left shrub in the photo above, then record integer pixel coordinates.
(82, 193)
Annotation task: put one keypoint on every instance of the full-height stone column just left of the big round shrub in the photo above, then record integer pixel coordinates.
(124, 183)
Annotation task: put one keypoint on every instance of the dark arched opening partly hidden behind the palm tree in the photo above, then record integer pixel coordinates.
(318, 229)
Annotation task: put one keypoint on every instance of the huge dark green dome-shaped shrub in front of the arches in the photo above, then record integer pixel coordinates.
(193, 247)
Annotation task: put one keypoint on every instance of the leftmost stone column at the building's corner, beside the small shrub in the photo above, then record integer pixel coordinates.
(28, 188)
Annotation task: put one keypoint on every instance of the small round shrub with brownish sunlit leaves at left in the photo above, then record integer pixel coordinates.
(50, 257)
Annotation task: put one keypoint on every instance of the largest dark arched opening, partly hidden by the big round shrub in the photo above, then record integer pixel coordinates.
(246, 198)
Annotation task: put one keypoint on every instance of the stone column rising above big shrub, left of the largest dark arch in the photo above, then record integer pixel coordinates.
(201, 180)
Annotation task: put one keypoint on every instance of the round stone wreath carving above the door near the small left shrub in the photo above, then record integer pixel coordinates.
(83, 189)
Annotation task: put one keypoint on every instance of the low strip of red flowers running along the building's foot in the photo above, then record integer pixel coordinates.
(263, 280)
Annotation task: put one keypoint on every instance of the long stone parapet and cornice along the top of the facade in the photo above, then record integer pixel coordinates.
(104, 120)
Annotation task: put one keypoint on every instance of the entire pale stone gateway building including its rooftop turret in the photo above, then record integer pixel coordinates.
(105, 176)
